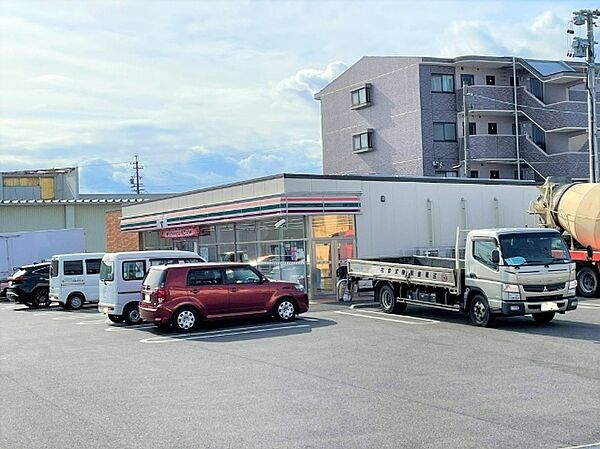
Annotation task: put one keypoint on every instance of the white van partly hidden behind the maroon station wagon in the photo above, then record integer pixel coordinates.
(121, 277)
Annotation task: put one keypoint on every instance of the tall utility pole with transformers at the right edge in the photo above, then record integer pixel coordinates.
(586, 48)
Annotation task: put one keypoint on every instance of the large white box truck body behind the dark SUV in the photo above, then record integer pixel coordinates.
(28, 247)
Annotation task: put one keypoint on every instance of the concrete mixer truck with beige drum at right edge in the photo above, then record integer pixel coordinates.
(574, 209)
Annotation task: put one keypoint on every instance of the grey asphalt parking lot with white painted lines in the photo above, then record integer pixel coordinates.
(339, 377)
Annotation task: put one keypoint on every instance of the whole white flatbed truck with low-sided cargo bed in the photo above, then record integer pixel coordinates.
(505, 272)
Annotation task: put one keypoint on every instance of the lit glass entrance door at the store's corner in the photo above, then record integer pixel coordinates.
(327, 256)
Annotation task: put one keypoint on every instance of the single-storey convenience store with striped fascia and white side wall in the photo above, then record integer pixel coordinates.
(301, 227)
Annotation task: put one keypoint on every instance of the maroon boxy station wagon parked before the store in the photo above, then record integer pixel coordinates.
(183, 295)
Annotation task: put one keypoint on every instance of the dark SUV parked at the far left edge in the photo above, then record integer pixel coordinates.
(29, 285)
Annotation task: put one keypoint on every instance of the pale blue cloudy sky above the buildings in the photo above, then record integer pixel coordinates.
(212, 92)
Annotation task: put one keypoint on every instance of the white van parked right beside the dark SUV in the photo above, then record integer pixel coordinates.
(74, 279)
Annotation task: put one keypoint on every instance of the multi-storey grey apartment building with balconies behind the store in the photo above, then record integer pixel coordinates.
(404, 116)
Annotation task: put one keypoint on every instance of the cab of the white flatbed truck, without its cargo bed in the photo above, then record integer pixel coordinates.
(518, 271)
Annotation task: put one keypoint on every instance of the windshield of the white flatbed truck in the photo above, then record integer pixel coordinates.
(540, 248)
